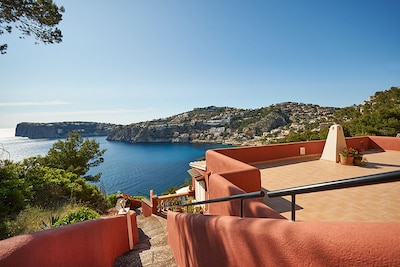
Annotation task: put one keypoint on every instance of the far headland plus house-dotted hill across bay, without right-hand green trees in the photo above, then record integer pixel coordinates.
(210, 124)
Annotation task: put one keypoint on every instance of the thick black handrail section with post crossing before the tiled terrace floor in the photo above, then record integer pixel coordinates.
(380, 178)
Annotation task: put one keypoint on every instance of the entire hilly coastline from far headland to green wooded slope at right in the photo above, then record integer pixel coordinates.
(283, 122)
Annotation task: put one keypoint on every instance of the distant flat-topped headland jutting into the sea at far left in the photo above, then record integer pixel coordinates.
(61, 129)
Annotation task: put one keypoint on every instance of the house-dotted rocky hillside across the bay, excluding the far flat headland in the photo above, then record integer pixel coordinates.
(224, 124)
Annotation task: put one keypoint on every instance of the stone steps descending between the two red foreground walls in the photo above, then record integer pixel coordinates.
(152, 249)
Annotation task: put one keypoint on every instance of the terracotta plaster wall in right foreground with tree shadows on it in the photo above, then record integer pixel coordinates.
(199, 240)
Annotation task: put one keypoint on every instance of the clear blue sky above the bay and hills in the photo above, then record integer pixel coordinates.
(127, 61)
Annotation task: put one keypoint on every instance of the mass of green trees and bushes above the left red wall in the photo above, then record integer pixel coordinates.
(49, 183)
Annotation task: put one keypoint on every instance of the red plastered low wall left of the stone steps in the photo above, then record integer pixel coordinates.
(89, 243)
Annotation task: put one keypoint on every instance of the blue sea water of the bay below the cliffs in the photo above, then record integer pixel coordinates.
(134, 169)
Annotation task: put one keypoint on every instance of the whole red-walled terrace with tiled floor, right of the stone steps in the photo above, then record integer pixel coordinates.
(345, 227)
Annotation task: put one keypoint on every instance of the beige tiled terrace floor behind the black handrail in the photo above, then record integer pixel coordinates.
(368, 203)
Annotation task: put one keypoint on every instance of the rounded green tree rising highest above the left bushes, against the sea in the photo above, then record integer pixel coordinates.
(75, 155)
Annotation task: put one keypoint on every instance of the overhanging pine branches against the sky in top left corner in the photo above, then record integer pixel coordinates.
(31, 17)
